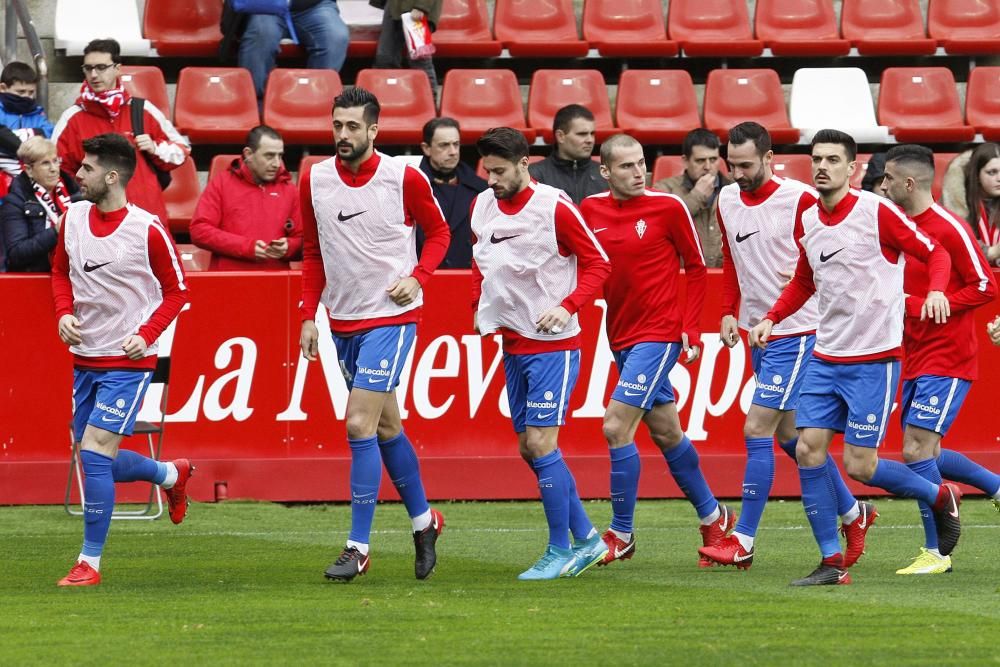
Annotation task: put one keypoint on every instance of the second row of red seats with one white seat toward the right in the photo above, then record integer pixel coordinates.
(217, 105)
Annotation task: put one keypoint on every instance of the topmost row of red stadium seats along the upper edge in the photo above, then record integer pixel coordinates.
(631, 28)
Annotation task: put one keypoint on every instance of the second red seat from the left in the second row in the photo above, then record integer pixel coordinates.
(215, 104)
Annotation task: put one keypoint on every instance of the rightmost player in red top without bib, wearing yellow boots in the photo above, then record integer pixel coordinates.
(940, 360)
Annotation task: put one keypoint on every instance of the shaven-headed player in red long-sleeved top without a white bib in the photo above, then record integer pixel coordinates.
(646, 234)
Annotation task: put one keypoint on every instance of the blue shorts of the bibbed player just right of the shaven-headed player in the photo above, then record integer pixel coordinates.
(779, 370)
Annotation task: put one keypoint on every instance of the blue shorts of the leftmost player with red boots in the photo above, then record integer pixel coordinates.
(108, 400)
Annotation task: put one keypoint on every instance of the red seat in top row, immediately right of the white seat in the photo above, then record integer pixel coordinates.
(183, 27)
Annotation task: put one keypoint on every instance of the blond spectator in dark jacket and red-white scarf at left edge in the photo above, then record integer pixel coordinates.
(32, 211)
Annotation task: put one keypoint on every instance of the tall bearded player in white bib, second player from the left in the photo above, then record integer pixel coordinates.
(360, 261)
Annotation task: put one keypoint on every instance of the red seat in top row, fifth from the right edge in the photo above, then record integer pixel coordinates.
(627, 28)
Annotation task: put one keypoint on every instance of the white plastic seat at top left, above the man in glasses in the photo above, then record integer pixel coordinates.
(80, 21)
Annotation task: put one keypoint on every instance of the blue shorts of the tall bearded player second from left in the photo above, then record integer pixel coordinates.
(374, 360)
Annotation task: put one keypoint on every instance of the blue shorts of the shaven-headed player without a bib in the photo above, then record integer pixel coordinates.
(643, 371)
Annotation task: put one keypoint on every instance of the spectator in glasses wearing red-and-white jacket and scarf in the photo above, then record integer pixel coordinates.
(105, 106)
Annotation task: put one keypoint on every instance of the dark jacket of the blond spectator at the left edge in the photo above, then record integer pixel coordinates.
(26, 240)
